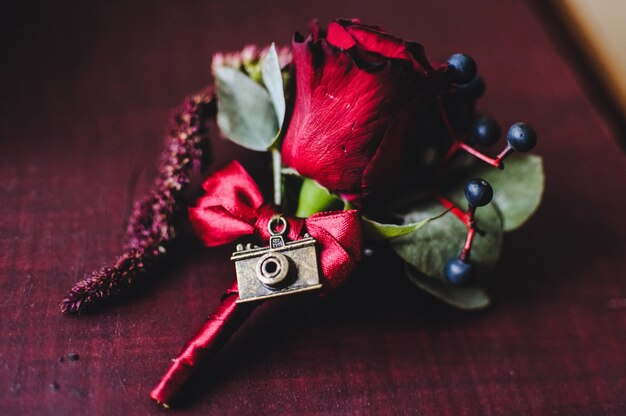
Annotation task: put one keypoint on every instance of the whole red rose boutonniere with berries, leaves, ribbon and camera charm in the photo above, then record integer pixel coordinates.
(371, 144)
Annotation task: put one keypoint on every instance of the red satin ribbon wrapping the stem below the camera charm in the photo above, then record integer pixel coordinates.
(212, 336)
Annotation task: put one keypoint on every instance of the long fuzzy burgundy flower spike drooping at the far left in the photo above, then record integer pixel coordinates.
(151, 227)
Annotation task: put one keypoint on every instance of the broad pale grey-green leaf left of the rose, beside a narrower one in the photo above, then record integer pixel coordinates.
(246, 113)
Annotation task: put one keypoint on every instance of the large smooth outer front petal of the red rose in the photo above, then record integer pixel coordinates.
(341, 114)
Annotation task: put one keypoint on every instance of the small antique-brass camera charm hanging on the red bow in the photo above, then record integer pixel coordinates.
(280, 269)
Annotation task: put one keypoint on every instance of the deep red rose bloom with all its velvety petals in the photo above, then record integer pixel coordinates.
(358, 95)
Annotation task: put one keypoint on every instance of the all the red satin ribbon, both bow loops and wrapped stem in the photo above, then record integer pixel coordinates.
(233, 207)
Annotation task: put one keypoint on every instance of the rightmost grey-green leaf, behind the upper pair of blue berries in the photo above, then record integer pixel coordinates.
(517, 190)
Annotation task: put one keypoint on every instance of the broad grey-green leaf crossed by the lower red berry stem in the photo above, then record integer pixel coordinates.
(429, 247)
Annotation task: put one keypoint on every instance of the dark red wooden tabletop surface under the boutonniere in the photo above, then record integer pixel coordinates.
(85, 91)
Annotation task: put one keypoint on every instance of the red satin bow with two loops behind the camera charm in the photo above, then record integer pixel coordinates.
(233, 207)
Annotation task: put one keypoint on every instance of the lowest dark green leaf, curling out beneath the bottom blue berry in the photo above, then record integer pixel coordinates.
(469, 298)
